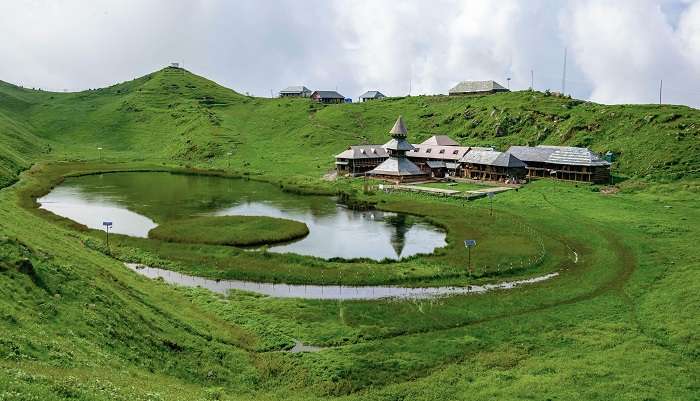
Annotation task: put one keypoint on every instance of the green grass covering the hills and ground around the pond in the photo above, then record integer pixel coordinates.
(618, 324)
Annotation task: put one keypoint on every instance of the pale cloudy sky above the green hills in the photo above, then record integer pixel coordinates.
(617, 50)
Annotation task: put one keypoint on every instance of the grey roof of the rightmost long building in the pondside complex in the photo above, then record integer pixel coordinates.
(565, 155)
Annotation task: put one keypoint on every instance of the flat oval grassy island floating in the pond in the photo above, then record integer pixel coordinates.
(230, 230)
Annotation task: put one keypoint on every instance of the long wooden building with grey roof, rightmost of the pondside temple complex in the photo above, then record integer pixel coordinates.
(563, 162)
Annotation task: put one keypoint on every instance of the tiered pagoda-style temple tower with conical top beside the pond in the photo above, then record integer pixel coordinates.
(397, 167)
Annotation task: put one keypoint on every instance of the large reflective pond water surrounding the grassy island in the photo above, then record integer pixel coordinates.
(136, 202)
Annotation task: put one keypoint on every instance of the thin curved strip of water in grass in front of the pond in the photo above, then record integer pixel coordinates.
(327, 292)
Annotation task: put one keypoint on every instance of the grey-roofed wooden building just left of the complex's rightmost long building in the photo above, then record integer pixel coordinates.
(491, 165)
